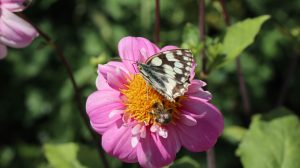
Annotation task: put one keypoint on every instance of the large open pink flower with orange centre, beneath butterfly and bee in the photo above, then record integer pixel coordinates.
(119, 110)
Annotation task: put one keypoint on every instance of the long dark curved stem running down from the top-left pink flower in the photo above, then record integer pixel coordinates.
(65, 62)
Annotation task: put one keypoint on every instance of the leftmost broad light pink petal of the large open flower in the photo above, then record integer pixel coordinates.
(99, 107)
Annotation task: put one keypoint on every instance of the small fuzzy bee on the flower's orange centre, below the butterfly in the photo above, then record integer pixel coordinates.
(161, 114)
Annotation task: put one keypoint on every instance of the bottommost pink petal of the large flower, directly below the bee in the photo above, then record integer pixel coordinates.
(156, 151)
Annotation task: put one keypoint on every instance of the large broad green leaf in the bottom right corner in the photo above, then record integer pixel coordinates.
(272, 143)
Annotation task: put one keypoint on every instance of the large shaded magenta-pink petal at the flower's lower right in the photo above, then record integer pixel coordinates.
(209, 127)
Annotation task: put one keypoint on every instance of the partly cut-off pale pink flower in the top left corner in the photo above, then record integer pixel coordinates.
(14, 31)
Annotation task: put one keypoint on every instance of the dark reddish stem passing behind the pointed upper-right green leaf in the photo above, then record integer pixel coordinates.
(241, 79)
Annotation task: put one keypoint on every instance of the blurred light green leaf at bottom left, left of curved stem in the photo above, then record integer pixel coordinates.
(62, 155)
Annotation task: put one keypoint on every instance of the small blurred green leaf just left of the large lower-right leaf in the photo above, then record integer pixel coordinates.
(234, 134)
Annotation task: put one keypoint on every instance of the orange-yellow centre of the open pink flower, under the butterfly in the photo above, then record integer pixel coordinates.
(140, 100)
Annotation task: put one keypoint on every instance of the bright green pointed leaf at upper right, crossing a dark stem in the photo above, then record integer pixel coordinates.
(240, 35)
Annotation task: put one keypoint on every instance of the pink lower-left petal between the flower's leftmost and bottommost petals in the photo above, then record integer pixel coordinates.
(117, 142)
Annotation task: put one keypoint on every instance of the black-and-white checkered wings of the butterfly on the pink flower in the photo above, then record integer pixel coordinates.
(168, 72)
